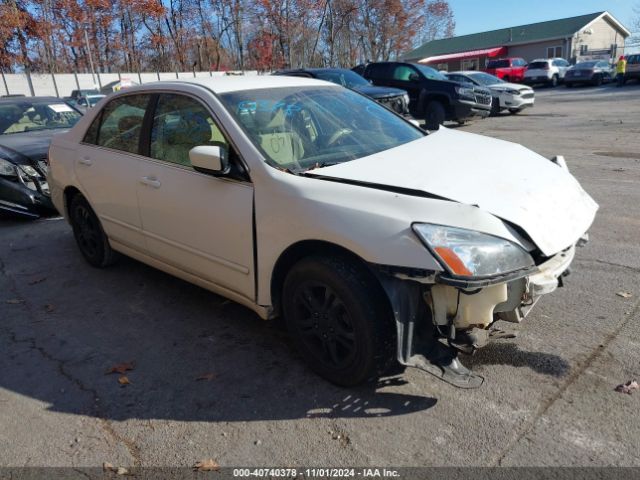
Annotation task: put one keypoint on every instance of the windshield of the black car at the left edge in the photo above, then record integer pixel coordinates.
(26, 115)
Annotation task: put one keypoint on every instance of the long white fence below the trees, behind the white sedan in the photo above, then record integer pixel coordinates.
(61, 84)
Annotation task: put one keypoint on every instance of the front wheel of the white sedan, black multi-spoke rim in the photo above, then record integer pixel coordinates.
(339, 319)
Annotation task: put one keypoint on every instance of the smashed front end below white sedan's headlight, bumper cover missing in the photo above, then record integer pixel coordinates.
(437, 317)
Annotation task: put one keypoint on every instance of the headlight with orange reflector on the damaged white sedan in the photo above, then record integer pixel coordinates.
(467, 253)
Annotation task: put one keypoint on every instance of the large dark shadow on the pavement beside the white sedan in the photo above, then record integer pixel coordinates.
(196, 356)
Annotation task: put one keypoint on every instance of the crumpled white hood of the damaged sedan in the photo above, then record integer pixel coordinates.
(502, 178)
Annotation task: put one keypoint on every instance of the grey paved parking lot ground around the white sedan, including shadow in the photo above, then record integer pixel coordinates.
(211, 380)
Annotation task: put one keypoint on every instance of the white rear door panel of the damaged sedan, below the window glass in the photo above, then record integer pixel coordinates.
(109, 178)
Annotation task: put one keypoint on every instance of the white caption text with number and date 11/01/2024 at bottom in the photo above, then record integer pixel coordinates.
(316, 472)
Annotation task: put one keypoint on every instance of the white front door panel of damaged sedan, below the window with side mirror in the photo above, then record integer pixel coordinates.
(199, 223)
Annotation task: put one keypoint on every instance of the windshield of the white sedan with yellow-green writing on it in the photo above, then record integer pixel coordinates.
(301, 128)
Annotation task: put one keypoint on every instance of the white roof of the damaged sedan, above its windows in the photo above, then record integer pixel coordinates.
(238, 83)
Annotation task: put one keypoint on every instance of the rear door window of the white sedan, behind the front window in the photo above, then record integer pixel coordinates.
(122, 122)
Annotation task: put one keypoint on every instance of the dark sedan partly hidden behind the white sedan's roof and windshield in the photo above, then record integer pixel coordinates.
(393, 98)
